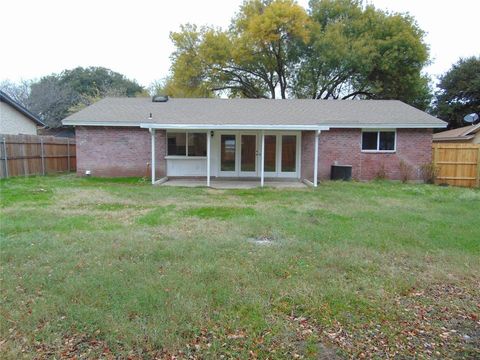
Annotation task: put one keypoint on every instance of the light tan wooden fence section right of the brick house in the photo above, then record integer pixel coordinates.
(457, 164)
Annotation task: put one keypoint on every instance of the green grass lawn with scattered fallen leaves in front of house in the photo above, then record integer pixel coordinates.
(116, 267)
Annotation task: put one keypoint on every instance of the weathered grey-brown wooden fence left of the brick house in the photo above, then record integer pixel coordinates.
(34, 155)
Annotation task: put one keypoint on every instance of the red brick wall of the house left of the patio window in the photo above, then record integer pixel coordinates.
(118, 151)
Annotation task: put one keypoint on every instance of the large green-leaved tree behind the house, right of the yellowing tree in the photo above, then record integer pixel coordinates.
(364, 52)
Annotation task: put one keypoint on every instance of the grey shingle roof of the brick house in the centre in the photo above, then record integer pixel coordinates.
(258, 113)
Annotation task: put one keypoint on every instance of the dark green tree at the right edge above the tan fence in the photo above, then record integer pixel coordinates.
(459, 92)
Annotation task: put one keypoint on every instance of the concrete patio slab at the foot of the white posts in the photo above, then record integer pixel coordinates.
(233, 184)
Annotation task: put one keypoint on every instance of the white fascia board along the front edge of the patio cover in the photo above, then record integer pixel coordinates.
(231, 127)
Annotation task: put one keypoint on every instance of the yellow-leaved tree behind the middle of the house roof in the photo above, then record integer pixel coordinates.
(253, 58)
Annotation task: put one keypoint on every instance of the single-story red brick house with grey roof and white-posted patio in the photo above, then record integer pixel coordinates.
(250, 138)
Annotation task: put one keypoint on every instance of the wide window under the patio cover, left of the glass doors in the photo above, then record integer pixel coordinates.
(188, 144)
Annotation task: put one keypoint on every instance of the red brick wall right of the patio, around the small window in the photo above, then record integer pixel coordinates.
(344, 146)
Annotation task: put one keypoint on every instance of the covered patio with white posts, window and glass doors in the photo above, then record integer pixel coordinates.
(234, 157)
